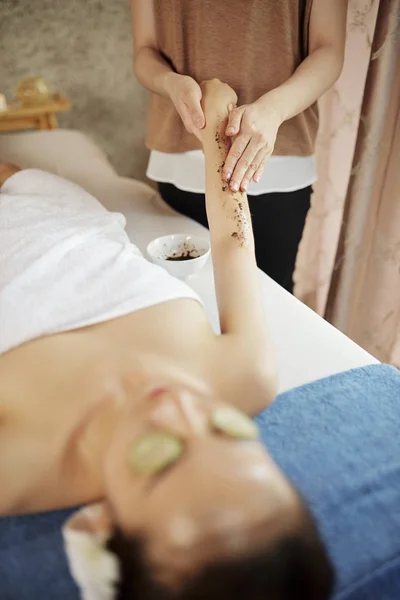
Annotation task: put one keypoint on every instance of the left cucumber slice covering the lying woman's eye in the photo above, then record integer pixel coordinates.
(153, 452)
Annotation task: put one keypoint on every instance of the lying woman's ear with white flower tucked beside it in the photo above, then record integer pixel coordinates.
(94, 568)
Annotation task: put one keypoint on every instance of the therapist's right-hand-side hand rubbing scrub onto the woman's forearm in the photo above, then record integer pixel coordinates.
(253, 129)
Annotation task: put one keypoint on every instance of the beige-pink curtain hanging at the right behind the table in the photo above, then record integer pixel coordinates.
(349, 261)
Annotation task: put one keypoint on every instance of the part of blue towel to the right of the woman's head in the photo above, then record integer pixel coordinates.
(338, 439)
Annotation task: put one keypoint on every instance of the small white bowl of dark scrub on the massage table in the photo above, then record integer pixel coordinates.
(161, 250)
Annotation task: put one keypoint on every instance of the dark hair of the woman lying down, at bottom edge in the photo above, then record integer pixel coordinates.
(294, 566)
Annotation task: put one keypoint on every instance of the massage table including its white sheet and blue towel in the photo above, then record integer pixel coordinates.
(334, 428)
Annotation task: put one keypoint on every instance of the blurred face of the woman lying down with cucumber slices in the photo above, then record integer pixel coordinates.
(217, 495)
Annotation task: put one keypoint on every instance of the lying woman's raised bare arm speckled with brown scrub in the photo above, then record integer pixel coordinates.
(237, 278)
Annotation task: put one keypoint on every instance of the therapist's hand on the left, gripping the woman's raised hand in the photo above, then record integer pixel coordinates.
(186, 94)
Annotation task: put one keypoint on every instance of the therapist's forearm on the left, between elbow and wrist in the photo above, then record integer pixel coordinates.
(153, 71)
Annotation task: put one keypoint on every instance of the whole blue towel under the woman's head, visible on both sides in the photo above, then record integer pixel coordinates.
(337, 439)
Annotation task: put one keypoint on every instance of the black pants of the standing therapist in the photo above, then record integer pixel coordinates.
(278, 223)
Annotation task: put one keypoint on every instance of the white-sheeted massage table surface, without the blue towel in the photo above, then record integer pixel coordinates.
(308, 347)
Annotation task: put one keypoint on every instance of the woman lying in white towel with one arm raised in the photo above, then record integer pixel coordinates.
(144, 409)
